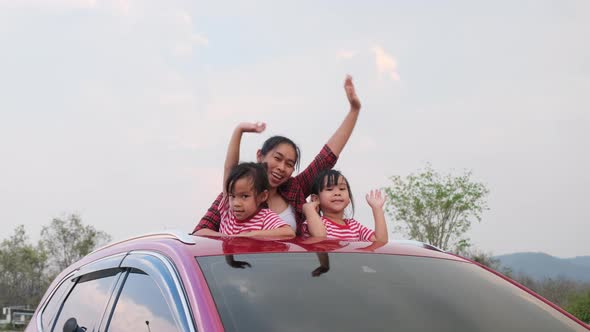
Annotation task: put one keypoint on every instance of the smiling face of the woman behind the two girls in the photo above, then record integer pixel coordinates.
(280, 163)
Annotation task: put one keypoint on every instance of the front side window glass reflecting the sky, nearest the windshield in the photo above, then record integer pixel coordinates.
(141, 307)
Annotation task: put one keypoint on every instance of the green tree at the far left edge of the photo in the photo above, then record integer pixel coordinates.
(22, 270)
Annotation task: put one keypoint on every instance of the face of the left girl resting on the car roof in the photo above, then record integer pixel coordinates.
(243, 199)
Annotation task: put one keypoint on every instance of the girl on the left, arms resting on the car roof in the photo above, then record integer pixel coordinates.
(245, 190)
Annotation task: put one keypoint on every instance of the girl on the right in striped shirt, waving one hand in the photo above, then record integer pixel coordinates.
(325, 212)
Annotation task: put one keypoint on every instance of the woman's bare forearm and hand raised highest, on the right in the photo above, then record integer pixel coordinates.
(342, 134)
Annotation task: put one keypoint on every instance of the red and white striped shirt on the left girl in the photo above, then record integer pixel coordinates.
(264, 219)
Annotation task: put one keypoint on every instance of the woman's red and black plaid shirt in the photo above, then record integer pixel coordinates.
(294, 191)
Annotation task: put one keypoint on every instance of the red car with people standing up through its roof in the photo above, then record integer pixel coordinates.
(172, 281)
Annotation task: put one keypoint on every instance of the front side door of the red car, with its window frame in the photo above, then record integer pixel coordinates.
(151, 297)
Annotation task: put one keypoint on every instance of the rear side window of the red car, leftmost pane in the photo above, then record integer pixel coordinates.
(86, 302)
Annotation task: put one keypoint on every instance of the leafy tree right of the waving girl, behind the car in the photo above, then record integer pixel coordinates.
(436, 209)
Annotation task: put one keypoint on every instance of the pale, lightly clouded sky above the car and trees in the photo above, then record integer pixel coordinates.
(120, 110)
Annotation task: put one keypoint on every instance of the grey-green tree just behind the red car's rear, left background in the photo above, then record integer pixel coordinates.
(69, 240)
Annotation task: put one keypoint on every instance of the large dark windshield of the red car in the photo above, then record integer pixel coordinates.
(360, 292)
